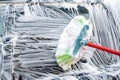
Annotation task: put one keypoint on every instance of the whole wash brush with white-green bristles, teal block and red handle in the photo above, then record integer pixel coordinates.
(73, 40)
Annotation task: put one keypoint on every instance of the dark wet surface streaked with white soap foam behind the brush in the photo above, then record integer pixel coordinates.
(29, 36)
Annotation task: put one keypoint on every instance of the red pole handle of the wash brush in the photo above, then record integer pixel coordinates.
(103, 48)
